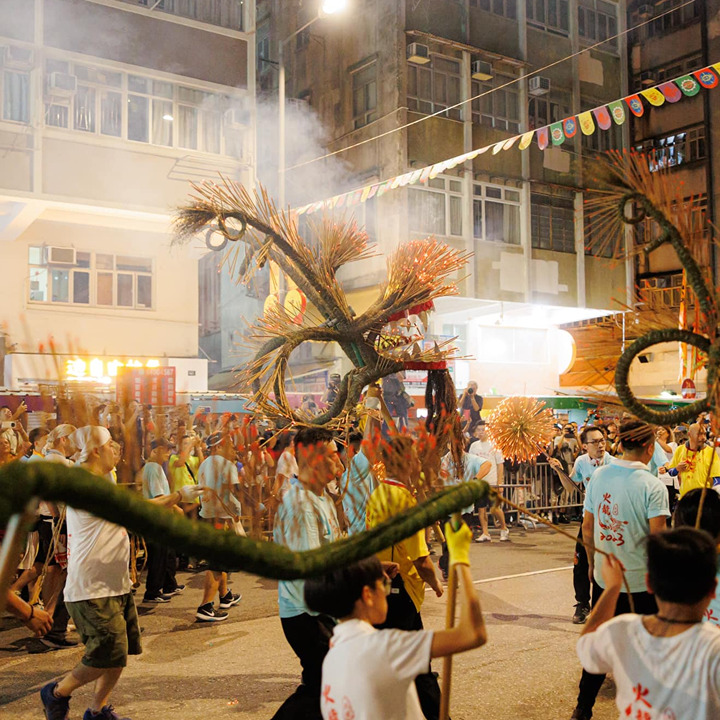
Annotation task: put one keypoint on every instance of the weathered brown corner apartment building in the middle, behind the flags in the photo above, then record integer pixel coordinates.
(401, 85)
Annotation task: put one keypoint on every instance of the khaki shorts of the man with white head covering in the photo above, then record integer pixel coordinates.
(109, 629)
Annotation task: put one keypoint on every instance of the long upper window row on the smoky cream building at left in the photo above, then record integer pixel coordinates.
(138, 108)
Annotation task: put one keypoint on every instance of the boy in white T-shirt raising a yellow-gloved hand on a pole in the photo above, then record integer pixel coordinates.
(369, 674)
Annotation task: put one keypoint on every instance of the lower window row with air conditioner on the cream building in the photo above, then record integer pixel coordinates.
(94, 279)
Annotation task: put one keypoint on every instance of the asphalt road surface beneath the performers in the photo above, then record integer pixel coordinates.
(243, 669)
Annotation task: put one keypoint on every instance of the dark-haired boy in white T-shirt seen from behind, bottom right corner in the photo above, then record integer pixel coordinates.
(667, 665)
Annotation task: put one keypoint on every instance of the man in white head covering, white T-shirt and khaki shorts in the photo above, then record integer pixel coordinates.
(97, 592)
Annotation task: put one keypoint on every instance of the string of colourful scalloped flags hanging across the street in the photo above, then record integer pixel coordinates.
(554, 135)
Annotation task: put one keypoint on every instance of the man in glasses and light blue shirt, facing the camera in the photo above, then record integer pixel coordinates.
(595, 455)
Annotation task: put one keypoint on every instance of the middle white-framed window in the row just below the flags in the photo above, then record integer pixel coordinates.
(496, 213)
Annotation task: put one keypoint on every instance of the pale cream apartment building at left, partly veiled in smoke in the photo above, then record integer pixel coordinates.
(110, 108)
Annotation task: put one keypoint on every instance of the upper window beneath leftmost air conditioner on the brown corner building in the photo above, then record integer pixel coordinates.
(435, 86)
